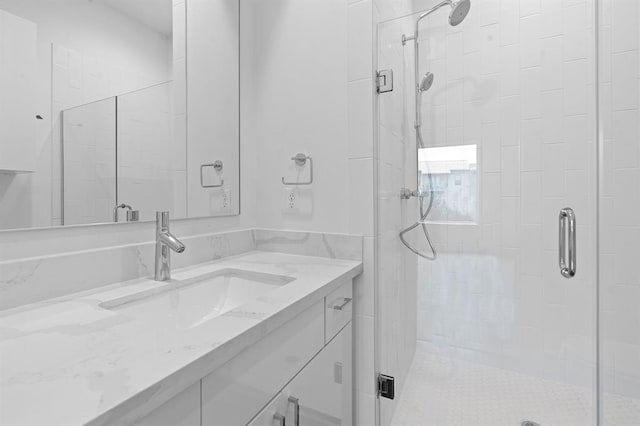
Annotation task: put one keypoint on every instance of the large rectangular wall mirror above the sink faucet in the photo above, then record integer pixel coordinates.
(113, 109)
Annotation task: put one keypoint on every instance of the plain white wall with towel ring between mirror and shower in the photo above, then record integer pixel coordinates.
(294, 57)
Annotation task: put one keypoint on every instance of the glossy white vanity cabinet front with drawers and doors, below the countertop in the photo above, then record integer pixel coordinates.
(299, 374)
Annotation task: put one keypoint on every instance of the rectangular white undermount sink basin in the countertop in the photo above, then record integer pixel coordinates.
(188, 303)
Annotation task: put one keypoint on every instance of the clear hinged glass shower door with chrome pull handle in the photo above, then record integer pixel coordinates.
(490, 332)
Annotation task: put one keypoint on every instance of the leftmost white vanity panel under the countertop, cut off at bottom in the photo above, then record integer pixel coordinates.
(181, 410)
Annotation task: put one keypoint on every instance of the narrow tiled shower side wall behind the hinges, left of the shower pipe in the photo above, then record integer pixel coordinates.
(396, 266)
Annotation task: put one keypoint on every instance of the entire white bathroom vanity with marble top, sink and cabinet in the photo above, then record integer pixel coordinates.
(257, 338)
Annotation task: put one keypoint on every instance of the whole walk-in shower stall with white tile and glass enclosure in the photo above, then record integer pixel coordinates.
(508, 157)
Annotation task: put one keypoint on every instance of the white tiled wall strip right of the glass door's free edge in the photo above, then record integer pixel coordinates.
(620, 197)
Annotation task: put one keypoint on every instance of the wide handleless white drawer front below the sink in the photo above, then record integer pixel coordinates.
(235, 392)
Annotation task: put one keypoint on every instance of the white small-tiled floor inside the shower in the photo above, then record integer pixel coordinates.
(445, 392)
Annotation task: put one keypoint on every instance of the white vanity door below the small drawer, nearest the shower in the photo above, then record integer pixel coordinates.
(323, 389)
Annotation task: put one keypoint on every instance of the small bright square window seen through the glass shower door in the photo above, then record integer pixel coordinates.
(450, 174)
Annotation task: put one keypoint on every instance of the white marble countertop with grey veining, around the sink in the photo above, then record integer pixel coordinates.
(69, 361)
